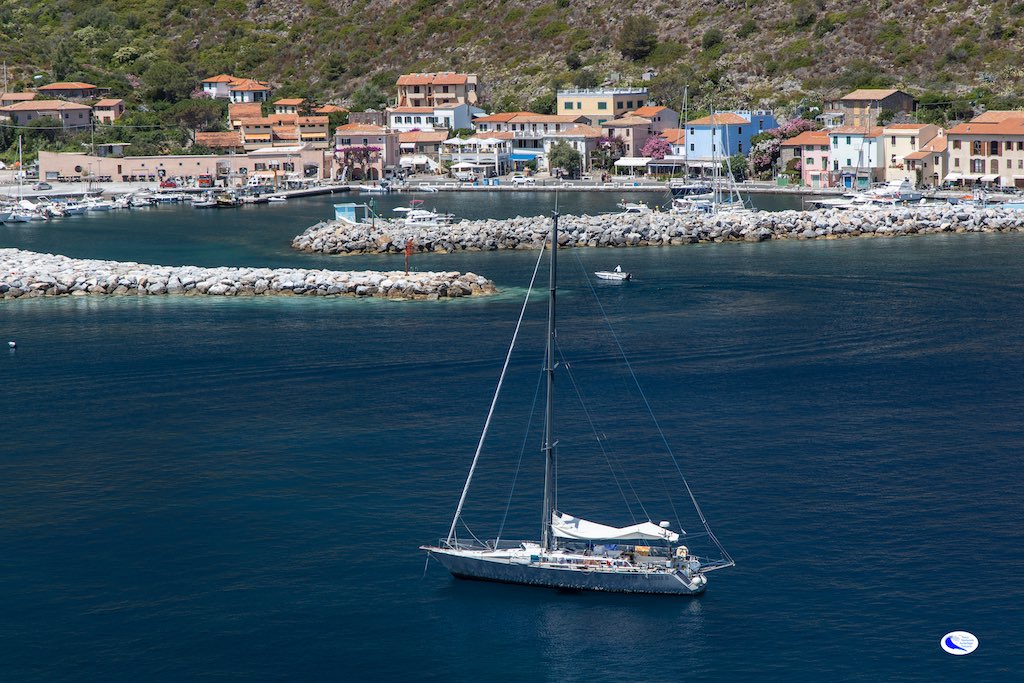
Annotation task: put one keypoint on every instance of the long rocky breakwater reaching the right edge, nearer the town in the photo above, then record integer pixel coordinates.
(658, 229)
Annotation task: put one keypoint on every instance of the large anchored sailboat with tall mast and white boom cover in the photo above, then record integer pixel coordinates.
(576, 554)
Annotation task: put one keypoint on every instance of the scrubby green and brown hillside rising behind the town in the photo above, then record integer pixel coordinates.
(774, 53)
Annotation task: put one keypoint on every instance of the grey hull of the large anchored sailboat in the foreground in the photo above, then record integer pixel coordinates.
(514, 568)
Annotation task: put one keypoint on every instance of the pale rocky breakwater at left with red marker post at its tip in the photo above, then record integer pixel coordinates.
(25, 274)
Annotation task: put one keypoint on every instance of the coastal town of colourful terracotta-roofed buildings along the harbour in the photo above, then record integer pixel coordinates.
(437, 130)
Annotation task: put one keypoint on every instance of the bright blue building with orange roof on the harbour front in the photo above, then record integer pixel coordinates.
(711, 140)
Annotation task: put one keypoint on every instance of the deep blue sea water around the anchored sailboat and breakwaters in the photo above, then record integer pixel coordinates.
(236, 489)
